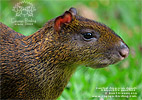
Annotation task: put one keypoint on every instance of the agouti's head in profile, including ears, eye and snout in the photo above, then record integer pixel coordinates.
(88, 42)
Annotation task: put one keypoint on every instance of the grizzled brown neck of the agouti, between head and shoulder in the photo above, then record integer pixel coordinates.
(47, 65)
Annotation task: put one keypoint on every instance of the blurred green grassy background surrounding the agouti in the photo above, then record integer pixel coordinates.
(123, 16)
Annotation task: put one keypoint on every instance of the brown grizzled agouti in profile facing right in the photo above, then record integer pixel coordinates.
(39, 66)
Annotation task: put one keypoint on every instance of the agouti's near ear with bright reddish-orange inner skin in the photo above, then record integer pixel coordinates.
(63, 19)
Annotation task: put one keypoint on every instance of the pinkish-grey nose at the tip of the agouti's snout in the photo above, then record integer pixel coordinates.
(124, 51)
